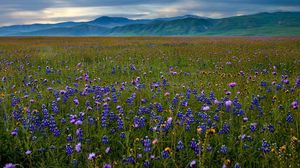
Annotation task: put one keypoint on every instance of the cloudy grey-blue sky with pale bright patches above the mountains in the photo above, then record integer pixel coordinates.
(52, 11)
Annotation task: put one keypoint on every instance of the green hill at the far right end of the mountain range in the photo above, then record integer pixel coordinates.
(258, 24)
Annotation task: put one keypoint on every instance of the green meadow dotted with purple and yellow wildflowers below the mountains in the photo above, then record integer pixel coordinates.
(150, 102)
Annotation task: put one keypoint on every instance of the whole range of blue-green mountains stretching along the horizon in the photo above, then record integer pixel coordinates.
(261, 24)
